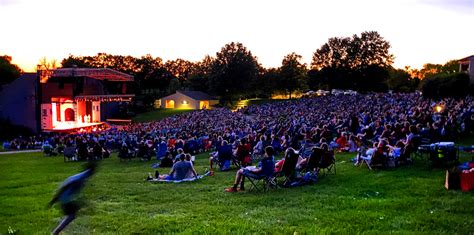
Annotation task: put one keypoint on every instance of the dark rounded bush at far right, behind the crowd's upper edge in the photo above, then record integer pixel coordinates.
(446, 85)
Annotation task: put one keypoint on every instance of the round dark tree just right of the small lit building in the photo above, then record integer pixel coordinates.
(232, 72)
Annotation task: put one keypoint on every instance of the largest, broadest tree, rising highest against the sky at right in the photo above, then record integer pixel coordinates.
(360, 63)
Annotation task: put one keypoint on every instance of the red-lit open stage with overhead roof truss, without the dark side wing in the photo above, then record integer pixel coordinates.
(76, 99)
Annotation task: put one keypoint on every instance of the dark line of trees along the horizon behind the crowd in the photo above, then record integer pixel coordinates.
(360, 62)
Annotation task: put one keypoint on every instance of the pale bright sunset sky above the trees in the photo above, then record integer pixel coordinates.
(420, 31)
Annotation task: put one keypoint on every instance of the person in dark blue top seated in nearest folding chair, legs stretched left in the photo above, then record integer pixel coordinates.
(267, 167)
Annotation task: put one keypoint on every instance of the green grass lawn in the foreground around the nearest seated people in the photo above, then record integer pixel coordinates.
(356, 200)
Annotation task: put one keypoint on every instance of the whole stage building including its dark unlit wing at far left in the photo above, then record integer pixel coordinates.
(64, 99)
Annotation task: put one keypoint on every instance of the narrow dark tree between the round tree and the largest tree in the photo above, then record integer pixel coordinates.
(292, 74)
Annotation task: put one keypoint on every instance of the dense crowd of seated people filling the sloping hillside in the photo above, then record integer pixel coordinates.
(345, 123)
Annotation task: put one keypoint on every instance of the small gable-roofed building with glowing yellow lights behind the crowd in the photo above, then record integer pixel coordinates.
(188, 100)
